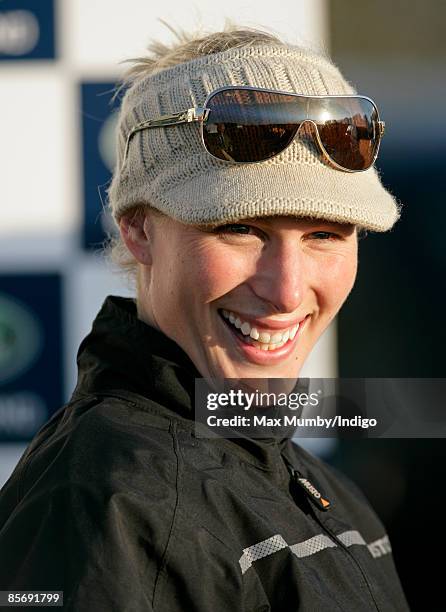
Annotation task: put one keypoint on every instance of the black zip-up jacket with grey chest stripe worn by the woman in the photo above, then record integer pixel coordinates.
(119, 505)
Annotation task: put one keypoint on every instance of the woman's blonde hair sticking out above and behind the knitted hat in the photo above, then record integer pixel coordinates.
(186, 47)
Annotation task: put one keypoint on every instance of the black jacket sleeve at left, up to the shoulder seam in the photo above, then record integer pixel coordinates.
(93, 500)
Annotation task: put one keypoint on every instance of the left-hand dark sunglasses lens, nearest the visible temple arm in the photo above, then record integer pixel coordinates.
(250, 126)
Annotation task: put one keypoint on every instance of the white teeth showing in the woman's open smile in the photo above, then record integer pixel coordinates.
(265, 341)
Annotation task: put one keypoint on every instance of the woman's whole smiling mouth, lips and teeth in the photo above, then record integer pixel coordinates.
(259, 345)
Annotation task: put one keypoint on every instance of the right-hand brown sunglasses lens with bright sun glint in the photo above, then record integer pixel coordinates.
(347, 130)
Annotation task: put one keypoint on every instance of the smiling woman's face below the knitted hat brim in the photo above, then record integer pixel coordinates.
(247, 299)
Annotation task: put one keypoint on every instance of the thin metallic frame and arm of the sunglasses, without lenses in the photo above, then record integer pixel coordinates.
(200, 114)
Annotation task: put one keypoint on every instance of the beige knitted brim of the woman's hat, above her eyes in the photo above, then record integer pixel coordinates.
(228, 193)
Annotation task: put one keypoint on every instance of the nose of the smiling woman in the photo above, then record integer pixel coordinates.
(280, 277)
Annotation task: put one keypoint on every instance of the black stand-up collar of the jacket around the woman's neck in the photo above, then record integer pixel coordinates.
(123, 354)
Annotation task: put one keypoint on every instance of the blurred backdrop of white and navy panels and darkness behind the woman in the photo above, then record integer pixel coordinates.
(59, 63)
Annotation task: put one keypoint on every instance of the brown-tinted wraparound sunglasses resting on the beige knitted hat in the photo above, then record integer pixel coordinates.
(241, 124)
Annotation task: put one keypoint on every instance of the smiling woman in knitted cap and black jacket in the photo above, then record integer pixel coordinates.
(239, 205)
